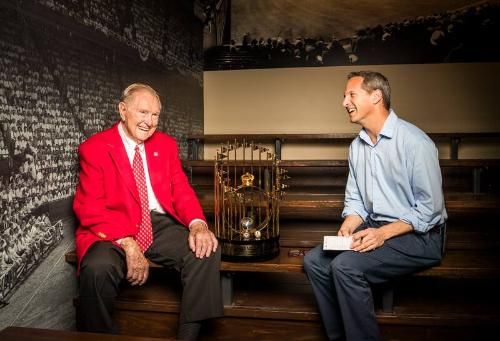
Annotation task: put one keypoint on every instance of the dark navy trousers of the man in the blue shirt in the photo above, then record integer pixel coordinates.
(341, 281)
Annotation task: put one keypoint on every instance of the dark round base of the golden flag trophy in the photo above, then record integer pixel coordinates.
(249, 250)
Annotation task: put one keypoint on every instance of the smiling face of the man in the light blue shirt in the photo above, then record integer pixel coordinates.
(358, 102)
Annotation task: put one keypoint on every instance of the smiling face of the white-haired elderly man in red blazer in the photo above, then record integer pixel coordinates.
(140, 115)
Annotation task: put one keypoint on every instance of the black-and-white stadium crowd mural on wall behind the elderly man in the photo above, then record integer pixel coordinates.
(63, 65)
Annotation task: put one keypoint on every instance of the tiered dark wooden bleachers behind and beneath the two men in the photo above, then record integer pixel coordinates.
(272, 299)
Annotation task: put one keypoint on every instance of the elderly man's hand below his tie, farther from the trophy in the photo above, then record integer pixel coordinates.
(137, 264)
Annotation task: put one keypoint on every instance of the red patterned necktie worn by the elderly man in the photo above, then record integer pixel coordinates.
(145, 235)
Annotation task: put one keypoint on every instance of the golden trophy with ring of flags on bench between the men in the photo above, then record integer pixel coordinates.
(247, 195)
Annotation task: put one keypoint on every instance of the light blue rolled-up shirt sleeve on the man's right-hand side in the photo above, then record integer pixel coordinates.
(428, 208)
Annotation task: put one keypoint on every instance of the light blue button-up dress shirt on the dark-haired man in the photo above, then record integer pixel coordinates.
(397, 178)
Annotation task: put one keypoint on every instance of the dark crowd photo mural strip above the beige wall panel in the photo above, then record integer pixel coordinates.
(288, 33)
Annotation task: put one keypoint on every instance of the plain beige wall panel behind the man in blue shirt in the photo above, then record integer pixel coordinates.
(435, 97)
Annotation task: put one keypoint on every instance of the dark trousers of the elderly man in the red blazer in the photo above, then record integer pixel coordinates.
(104, 267)
